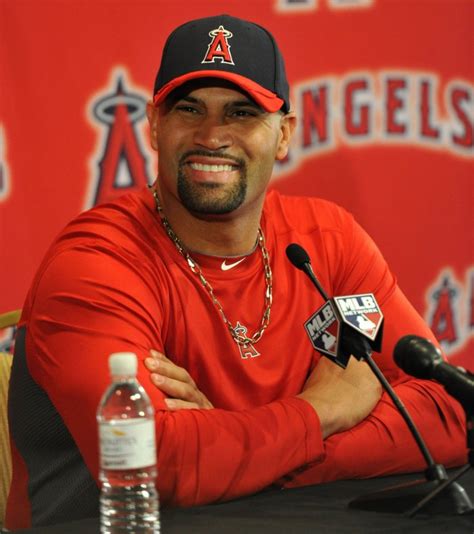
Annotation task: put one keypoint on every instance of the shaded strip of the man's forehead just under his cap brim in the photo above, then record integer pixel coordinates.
(211, 88)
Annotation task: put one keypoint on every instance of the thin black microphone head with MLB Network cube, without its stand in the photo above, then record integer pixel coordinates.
(344, 326)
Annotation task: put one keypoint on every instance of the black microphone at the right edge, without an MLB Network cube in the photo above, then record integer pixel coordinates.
(418, 357)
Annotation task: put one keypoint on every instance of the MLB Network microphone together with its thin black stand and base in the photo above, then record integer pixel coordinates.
(351, 325)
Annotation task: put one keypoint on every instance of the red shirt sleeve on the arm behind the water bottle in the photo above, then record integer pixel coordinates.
(80, 314)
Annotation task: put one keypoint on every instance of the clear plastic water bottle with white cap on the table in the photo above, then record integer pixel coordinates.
(128, 500)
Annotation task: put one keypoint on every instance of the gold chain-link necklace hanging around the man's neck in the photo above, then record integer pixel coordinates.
(241, 340)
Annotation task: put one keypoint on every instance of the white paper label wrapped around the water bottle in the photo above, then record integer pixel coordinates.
(127, 444)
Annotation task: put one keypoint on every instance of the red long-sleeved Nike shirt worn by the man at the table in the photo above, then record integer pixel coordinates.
(114, 281)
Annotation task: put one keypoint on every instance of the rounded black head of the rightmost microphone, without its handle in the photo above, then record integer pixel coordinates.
(416, 356)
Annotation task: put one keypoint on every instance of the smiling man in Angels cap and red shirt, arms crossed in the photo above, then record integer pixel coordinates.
(192, 276)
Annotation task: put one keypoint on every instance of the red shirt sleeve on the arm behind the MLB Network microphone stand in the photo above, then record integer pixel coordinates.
(382, 444)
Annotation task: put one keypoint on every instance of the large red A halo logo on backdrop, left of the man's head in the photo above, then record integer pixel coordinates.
(120, 161)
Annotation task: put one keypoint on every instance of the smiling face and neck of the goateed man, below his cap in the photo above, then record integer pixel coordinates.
(217, 149)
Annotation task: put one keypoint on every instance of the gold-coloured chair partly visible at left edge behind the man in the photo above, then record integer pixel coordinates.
(6, 320)
